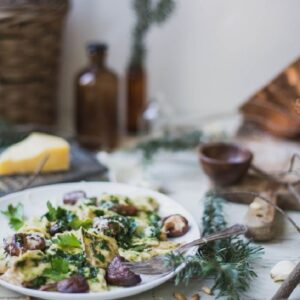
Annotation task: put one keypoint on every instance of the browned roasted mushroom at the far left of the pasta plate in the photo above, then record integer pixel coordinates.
(21, 242)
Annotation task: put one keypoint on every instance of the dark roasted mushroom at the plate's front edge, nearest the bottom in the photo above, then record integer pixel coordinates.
(74, 284)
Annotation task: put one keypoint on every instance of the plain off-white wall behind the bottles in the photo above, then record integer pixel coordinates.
(208, 58)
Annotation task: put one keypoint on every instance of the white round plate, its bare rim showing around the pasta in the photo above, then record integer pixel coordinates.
(34, 201)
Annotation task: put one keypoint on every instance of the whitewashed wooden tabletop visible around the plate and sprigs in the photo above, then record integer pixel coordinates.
(181, 176)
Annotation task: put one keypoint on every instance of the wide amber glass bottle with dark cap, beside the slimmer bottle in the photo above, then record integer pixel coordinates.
(97, 102)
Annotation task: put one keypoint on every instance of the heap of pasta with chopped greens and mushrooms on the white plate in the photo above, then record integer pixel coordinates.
(71, 247)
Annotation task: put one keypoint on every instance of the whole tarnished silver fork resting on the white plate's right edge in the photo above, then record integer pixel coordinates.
(157, 265)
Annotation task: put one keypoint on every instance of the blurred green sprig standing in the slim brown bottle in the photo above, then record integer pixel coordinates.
(147, 14)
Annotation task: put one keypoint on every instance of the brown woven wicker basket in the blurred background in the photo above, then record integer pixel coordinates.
(30, 32)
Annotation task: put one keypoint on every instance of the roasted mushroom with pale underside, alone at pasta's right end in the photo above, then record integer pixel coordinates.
(175, 225)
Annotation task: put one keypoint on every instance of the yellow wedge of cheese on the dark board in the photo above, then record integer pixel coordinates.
(27, 155)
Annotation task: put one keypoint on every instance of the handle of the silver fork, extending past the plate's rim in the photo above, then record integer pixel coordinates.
(236, 229)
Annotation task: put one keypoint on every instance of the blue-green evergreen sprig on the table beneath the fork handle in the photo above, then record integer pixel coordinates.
(228, 261)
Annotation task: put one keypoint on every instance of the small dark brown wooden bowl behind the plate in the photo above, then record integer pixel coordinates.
(224, 163)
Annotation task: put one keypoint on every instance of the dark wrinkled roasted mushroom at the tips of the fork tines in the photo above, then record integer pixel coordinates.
(120, 275)
